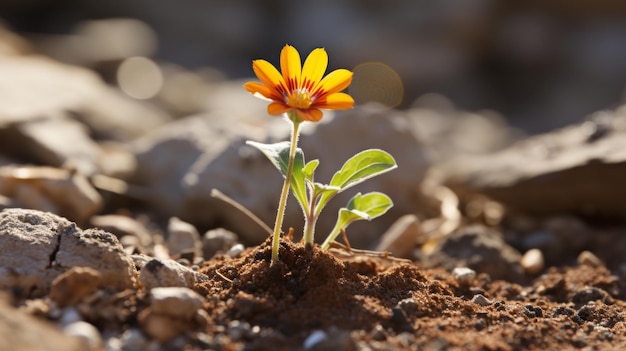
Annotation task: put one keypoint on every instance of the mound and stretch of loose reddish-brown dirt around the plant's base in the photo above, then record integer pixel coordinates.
(379, 303)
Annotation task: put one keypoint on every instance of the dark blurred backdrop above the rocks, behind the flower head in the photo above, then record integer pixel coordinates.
(541, 64)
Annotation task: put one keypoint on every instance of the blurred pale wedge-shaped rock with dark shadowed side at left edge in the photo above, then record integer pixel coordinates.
(37, 141)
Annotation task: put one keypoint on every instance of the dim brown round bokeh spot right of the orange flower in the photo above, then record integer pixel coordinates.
(377, 86)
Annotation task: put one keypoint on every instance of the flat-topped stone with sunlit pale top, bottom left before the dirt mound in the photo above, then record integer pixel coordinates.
(178, 302)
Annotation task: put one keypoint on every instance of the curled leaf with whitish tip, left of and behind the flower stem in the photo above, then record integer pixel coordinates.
(278, 153)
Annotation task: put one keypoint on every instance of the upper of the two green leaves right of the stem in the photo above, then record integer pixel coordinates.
(360, 167)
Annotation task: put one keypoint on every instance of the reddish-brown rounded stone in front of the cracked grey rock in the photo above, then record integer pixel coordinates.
(70, 287)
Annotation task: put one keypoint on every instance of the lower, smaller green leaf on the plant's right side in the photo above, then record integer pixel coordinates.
(360, 207)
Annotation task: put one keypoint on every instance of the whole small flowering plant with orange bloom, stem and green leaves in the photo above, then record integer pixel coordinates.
(299, 93)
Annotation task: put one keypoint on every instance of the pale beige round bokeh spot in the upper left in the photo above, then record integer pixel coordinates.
(139, 77)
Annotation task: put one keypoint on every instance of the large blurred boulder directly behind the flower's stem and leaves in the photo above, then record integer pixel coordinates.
(182, 162)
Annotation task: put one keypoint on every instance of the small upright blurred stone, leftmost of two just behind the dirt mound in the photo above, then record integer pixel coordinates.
(182, 237)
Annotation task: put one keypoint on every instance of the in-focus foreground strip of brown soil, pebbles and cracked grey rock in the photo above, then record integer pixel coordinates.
(80, 289)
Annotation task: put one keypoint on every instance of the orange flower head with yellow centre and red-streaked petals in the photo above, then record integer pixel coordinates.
(301, 88)
